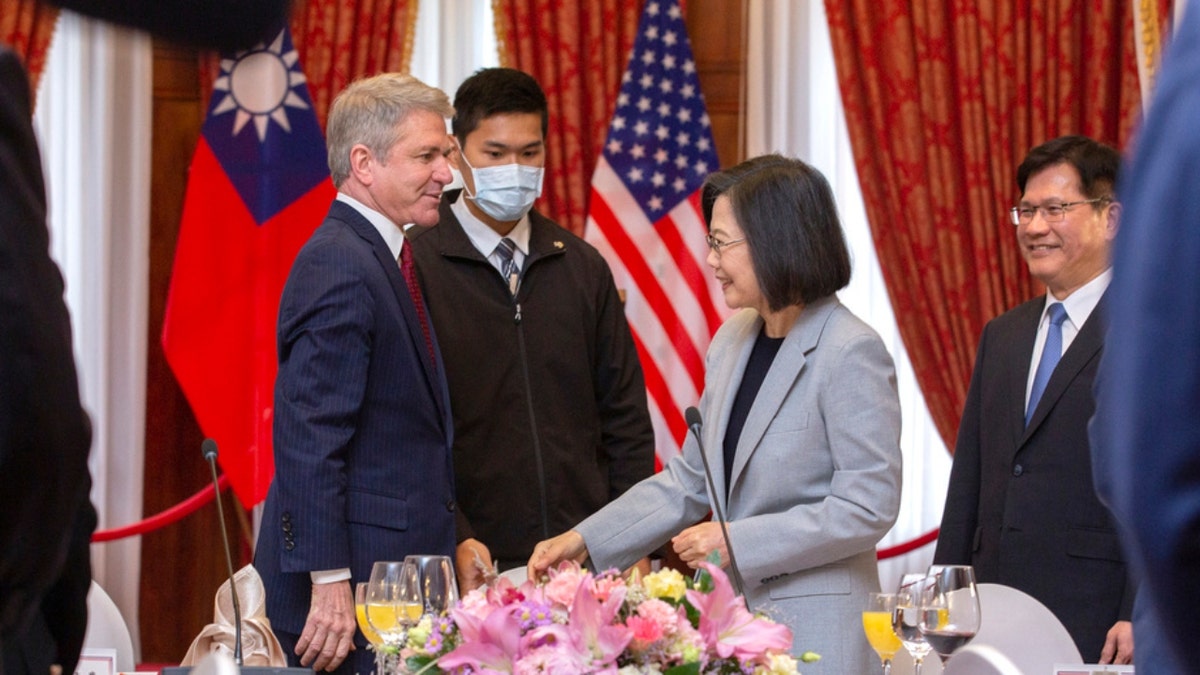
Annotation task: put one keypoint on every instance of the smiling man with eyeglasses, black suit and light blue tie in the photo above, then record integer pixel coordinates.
(1022, 506)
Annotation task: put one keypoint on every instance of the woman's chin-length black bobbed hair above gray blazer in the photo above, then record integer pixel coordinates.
(790, 220)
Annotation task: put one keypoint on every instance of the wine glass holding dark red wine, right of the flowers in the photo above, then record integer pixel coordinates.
(950, 608)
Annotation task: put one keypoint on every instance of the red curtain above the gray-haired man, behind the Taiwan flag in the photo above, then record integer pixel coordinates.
(340, 41)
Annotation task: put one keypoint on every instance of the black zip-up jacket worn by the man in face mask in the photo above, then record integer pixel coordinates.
(547, 390)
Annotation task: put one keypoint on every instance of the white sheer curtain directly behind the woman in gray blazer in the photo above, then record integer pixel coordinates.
(794, 107)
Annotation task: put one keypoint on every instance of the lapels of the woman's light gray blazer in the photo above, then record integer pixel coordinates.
(782, 378)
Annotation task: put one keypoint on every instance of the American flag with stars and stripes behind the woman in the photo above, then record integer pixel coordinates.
(645, 218)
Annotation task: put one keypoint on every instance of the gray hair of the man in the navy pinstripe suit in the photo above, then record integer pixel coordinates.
(370, 112)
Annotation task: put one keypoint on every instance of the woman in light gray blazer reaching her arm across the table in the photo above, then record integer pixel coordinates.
(802, 426)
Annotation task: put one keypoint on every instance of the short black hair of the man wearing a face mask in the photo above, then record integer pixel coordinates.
(493, 92)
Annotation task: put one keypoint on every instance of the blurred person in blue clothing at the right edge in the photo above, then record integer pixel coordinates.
(1147, 428)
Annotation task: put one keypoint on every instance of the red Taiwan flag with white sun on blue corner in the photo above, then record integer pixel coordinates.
(259, 187)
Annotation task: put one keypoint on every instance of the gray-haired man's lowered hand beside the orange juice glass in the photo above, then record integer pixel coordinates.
(328, 635)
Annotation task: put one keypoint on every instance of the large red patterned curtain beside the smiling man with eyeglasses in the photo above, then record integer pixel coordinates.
(944, 100)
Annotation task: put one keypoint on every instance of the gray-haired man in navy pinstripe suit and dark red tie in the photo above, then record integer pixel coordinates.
(363, 426)
